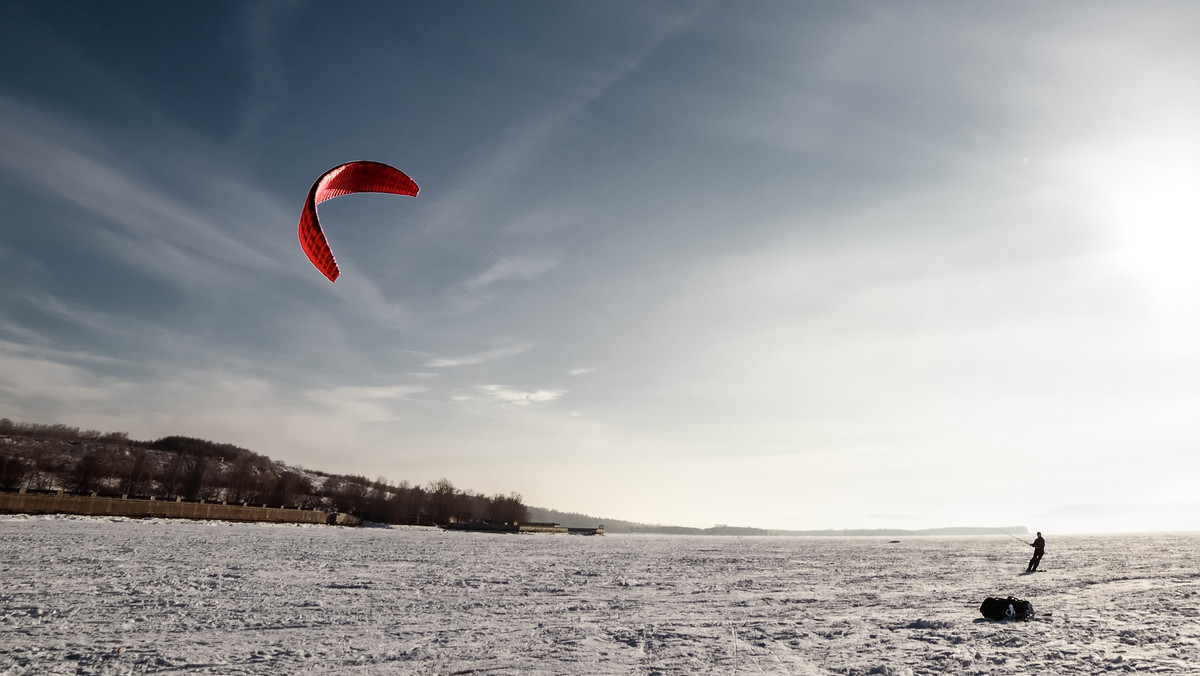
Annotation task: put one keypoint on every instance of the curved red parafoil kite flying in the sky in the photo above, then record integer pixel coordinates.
(345, 180)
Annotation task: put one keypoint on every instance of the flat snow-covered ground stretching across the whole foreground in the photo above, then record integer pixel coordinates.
(92, 596)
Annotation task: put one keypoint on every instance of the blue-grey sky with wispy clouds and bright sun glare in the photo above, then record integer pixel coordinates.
(782, 265)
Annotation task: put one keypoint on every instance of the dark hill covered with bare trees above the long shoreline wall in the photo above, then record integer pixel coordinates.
(44, 458)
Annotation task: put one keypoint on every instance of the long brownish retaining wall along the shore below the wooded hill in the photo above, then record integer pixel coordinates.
(95, 506)
